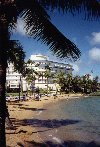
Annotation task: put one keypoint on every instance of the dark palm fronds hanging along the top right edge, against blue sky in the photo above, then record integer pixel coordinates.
(90, 7)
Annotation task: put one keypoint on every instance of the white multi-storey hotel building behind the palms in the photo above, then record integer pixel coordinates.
(13, 77)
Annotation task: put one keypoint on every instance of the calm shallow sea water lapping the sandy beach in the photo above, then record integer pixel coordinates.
(75, 122)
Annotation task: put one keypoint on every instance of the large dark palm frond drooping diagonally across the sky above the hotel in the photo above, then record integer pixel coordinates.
(39, 27)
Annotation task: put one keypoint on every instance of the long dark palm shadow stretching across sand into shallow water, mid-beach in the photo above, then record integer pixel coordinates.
(50, 123)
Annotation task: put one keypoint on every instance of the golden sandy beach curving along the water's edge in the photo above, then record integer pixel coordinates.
(21, 133)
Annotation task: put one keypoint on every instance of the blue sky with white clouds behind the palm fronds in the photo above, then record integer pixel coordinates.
(85, 34)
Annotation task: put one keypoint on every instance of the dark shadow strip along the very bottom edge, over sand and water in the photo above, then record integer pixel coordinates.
(64, 144)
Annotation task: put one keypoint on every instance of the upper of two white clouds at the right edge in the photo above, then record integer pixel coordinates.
(95, 38)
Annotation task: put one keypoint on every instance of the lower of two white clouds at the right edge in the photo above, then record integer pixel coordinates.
(94, 54)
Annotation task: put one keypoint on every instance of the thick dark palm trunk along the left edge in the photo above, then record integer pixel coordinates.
(3, 65)
